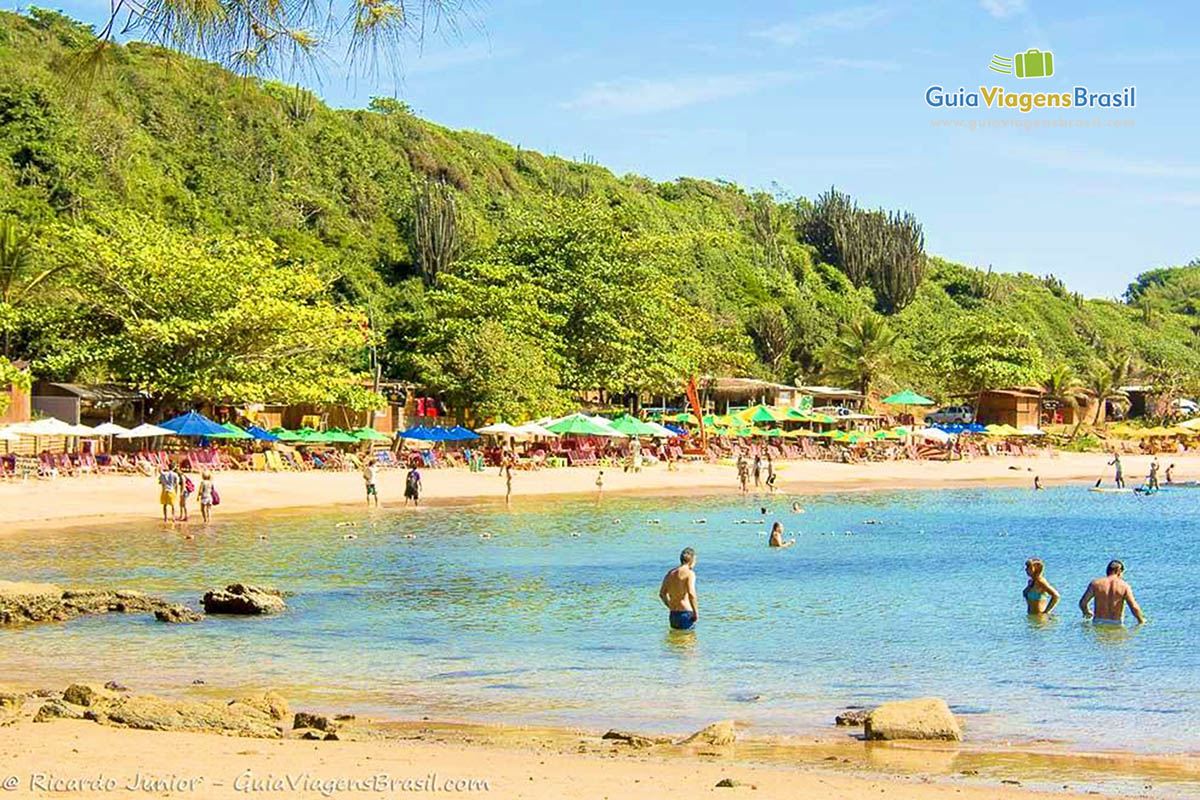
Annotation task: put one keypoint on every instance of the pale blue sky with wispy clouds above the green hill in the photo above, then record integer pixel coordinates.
(794, 98)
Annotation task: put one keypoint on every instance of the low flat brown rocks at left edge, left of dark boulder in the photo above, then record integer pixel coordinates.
(22, 604)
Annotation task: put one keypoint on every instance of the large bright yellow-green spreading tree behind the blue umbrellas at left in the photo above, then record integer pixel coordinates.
(189, 317)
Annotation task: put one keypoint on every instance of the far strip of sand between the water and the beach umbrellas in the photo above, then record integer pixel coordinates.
(123, 498)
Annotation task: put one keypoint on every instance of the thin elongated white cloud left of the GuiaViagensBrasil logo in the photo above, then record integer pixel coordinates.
(644, 97)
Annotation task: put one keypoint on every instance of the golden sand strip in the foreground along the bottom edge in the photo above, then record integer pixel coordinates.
(43, 760)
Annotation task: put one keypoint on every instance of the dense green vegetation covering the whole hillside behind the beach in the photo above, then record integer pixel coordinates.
(203, 234)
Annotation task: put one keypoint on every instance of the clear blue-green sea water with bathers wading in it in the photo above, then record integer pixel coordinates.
(549, 613)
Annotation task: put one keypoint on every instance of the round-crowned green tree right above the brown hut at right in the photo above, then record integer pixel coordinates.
(992, 354)
